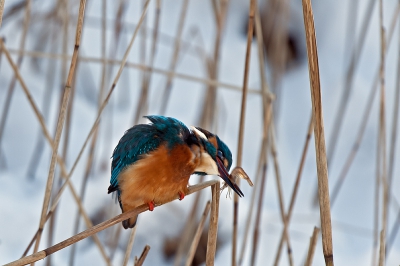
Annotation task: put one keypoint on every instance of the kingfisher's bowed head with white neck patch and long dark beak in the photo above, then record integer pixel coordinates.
(220, 154)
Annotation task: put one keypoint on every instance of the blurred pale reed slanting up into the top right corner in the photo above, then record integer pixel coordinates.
(368, 108)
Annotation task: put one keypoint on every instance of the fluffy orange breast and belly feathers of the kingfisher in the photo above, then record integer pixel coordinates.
(159, 177)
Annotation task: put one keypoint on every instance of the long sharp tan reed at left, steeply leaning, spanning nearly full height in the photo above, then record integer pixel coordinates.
(60, 124)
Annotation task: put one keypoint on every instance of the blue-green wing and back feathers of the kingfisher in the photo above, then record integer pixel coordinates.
(142, 139)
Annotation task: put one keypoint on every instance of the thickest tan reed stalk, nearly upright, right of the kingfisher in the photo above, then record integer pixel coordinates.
(322, 168)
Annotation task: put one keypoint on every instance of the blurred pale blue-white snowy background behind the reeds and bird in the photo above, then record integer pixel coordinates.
(21, 194)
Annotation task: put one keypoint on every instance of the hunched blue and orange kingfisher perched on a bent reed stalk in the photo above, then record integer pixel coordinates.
(152, 163)
